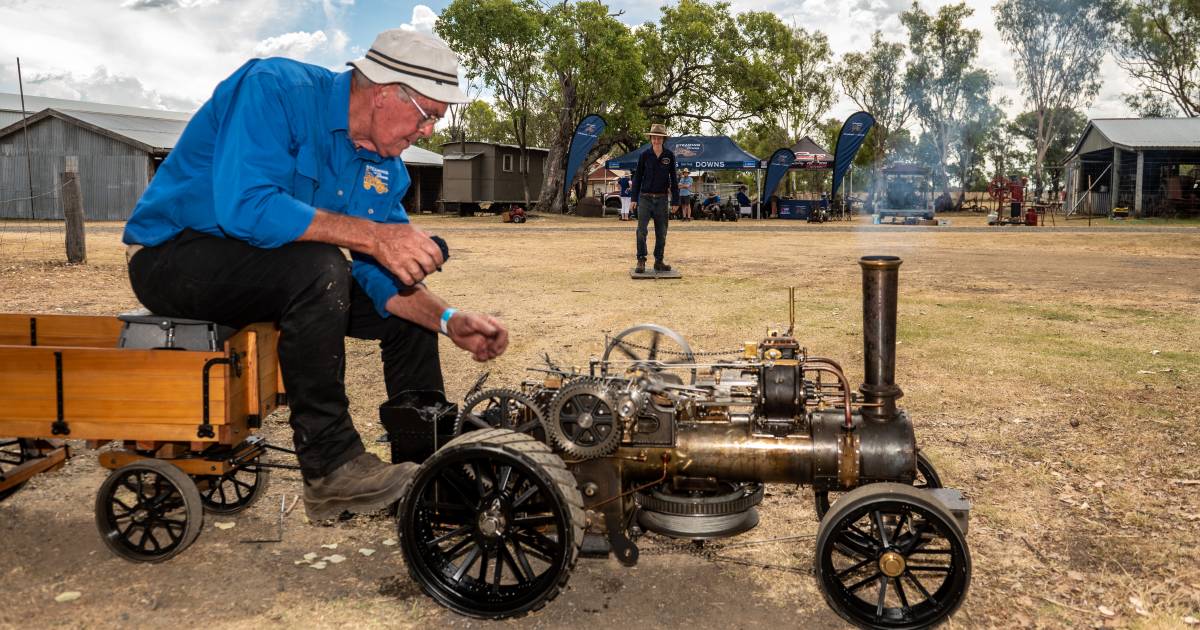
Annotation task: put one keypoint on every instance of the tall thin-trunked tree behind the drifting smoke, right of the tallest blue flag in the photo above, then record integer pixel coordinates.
(940, 76)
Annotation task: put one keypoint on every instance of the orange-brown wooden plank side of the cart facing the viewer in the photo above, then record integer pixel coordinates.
(113, 386)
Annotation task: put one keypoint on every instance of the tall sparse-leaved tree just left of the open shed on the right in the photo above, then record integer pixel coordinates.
(1058, 47)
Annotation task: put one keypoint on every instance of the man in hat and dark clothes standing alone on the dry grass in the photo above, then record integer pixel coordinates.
(655, 183)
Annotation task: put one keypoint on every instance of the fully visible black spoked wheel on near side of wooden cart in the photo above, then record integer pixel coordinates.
(149, 512)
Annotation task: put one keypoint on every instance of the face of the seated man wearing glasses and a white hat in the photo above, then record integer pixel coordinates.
(398, 122)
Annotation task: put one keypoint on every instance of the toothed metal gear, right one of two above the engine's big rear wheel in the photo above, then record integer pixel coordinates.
(583, 419)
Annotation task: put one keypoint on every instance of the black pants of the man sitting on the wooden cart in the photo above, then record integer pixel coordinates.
(307, 289)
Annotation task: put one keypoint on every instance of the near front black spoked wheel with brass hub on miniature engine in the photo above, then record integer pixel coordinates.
(890, 556)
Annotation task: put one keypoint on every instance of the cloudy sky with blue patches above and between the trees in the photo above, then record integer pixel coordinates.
(171, 53)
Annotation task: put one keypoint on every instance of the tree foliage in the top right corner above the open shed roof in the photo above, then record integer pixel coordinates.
(1159, 44)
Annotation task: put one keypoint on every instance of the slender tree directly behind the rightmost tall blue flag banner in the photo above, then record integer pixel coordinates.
(874, 81)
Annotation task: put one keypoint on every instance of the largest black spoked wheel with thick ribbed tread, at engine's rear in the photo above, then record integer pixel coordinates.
(494, 525)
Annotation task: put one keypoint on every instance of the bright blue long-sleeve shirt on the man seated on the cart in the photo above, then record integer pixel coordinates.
(256, 161)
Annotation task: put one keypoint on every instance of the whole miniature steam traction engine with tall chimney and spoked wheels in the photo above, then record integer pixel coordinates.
(652, 439)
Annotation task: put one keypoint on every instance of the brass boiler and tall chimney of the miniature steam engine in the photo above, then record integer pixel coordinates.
(878, 445)
